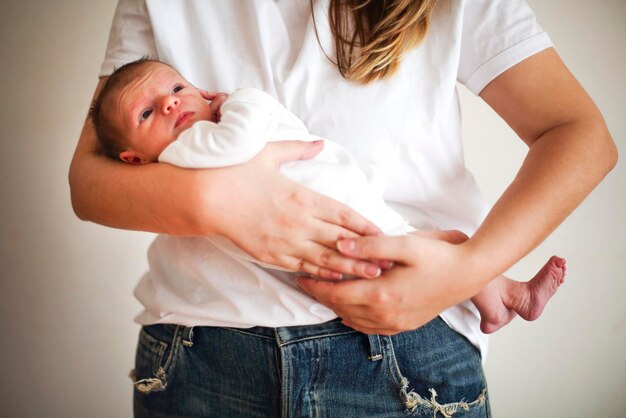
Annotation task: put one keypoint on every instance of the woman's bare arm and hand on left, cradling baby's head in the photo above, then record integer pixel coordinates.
(274, 219)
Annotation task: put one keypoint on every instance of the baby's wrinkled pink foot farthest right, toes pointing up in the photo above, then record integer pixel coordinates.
(534, 295)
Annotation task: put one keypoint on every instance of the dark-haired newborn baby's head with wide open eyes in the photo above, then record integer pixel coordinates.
(143, 107)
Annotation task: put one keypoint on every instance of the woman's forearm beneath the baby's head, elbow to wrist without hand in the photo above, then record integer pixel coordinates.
(148, 198)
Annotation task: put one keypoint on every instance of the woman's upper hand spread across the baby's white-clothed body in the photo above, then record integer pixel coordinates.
(280, 222)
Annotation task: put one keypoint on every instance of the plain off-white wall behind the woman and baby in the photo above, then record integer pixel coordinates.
(66, 301)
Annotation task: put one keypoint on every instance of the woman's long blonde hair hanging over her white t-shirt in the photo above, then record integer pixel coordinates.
(371, 36)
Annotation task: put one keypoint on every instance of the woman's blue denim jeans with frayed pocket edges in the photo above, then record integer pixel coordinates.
(324, 370)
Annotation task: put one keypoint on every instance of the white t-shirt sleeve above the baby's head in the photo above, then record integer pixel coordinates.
(131, 36)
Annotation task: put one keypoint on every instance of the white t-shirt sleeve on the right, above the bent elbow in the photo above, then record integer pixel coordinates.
(496, 35)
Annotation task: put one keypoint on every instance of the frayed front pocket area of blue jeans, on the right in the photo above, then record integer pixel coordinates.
(437, 372)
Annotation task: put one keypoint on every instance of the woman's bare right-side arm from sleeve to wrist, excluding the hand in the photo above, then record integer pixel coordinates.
(570, 151)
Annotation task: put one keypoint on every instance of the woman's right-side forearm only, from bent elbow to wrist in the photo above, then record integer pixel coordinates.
(560, 170)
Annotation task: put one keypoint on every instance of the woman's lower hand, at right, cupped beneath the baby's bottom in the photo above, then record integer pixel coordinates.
(432, 271)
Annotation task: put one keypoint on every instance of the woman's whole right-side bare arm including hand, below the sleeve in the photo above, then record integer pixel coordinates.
(570, 151)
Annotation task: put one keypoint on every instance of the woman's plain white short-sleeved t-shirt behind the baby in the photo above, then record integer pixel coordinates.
(408, 127)
